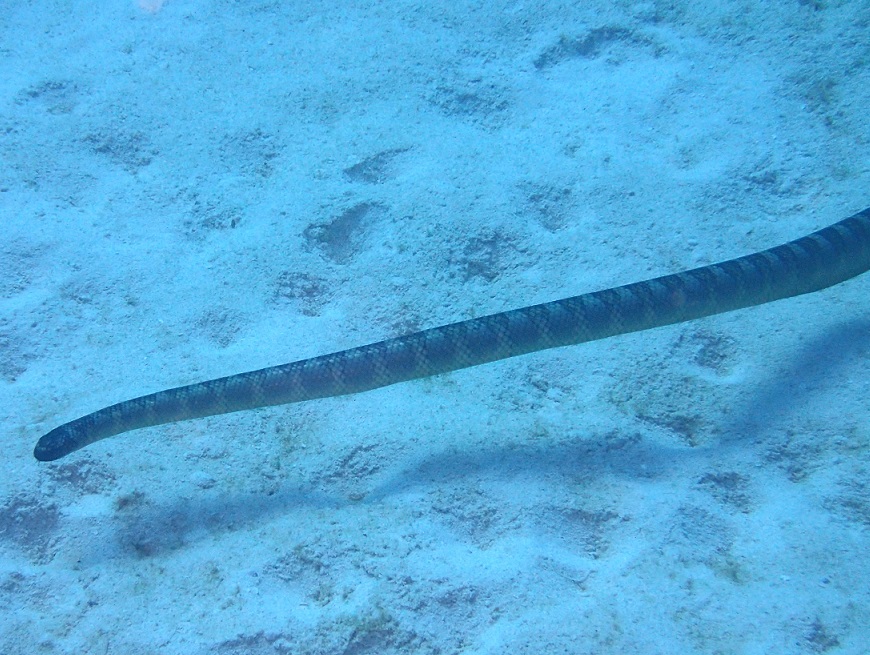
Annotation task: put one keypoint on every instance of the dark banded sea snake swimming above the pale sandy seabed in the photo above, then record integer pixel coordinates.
(814, 262)
